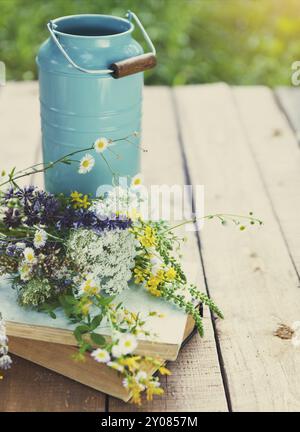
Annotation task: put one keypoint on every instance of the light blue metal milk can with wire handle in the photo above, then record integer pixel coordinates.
(91, 82)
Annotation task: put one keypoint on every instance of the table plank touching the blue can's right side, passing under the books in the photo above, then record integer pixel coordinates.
(196, 383)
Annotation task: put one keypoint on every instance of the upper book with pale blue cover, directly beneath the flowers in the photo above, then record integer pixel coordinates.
(167, 333)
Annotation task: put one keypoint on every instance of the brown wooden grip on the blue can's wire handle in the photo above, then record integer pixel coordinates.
(133, 65)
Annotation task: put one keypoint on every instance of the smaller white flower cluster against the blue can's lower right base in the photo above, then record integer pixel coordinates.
(118, 201)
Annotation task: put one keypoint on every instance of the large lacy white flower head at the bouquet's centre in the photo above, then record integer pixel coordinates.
(108, 258)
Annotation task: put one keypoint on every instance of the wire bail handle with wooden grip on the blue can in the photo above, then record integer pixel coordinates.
(119, 69)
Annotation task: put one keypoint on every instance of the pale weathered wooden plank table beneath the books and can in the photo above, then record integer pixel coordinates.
(242, 144)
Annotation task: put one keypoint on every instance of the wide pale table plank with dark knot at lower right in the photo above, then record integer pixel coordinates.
(249, 273)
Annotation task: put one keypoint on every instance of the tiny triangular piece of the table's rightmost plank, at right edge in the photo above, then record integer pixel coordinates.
(289, 100)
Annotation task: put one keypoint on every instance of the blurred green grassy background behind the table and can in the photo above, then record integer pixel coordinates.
(237, 41)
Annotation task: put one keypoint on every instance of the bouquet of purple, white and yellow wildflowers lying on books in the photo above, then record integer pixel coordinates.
(77, 253)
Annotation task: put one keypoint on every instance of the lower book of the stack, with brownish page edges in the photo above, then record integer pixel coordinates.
(58, 357)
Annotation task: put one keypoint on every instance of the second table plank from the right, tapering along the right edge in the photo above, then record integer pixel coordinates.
(277, 155)
